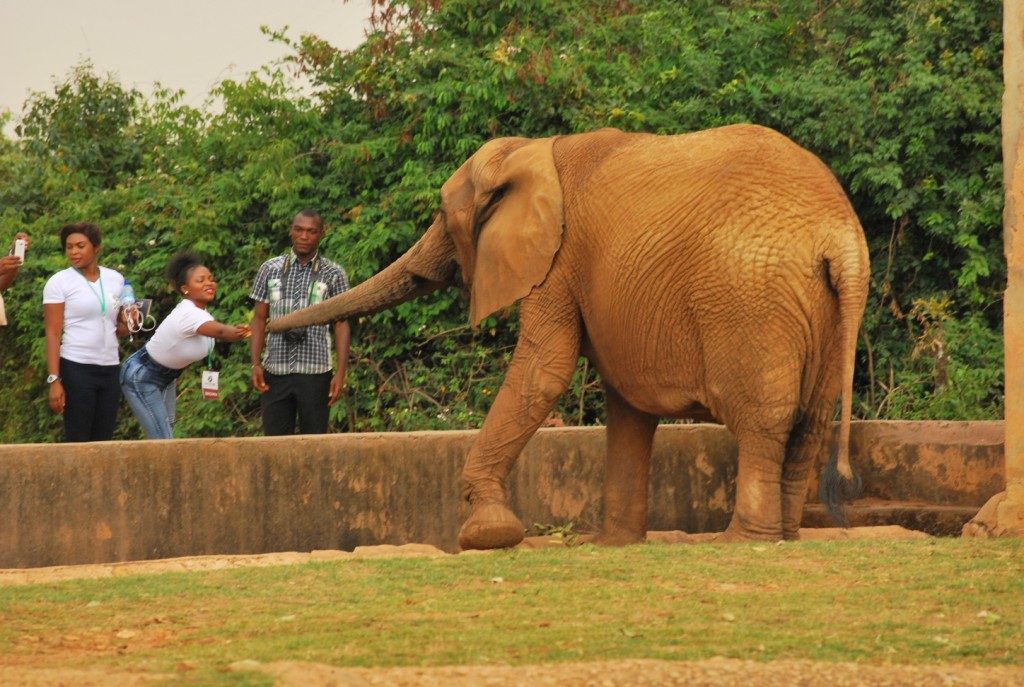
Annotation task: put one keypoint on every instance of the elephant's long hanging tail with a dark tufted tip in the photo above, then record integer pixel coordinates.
(848, 273)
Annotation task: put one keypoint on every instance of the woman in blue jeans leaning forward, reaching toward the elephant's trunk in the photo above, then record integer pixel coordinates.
(149, 377)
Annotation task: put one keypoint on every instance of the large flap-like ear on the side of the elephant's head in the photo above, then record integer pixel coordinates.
(519, 225)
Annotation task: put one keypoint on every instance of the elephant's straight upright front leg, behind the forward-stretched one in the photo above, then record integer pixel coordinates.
(627, 473)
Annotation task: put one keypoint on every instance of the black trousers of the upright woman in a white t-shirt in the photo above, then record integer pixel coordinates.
(93, 395)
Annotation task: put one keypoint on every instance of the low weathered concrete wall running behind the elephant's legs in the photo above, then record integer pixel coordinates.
(69, 504)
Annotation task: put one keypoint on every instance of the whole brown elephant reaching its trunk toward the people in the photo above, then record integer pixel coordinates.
(714, 276)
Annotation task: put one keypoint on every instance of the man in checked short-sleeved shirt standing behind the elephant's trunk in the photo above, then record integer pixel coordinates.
(292, 370)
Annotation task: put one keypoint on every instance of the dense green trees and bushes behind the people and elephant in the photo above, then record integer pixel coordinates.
(901, 99)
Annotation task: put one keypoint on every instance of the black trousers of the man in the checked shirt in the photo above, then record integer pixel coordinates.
(305, 396)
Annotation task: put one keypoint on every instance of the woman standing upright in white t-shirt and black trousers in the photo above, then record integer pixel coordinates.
(81, 308)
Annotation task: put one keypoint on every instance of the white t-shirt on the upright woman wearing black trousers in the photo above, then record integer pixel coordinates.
(91, 315)
